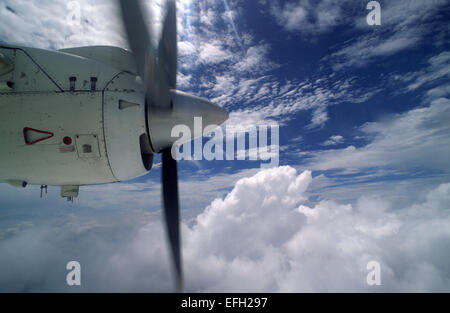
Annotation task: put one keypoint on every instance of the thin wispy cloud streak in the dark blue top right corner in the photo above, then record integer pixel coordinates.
(405, 24)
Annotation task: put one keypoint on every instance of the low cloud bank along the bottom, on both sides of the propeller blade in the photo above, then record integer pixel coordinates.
(262, 236)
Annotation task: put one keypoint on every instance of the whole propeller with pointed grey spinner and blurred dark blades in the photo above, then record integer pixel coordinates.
(166, 107)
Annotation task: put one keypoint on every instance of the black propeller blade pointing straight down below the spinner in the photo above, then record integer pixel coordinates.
(172, 212)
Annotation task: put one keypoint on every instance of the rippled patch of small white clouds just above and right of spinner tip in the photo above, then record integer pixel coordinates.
(266, 100)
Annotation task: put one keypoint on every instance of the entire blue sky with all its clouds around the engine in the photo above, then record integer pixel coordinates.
(364, 155)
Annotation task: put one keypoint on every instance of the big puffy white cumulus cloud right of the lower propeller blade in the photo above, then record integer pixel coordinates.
(259, 239)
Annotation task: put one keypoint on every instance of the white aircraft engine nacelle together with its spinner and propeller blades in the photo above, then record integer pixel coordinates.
(98, 114)
